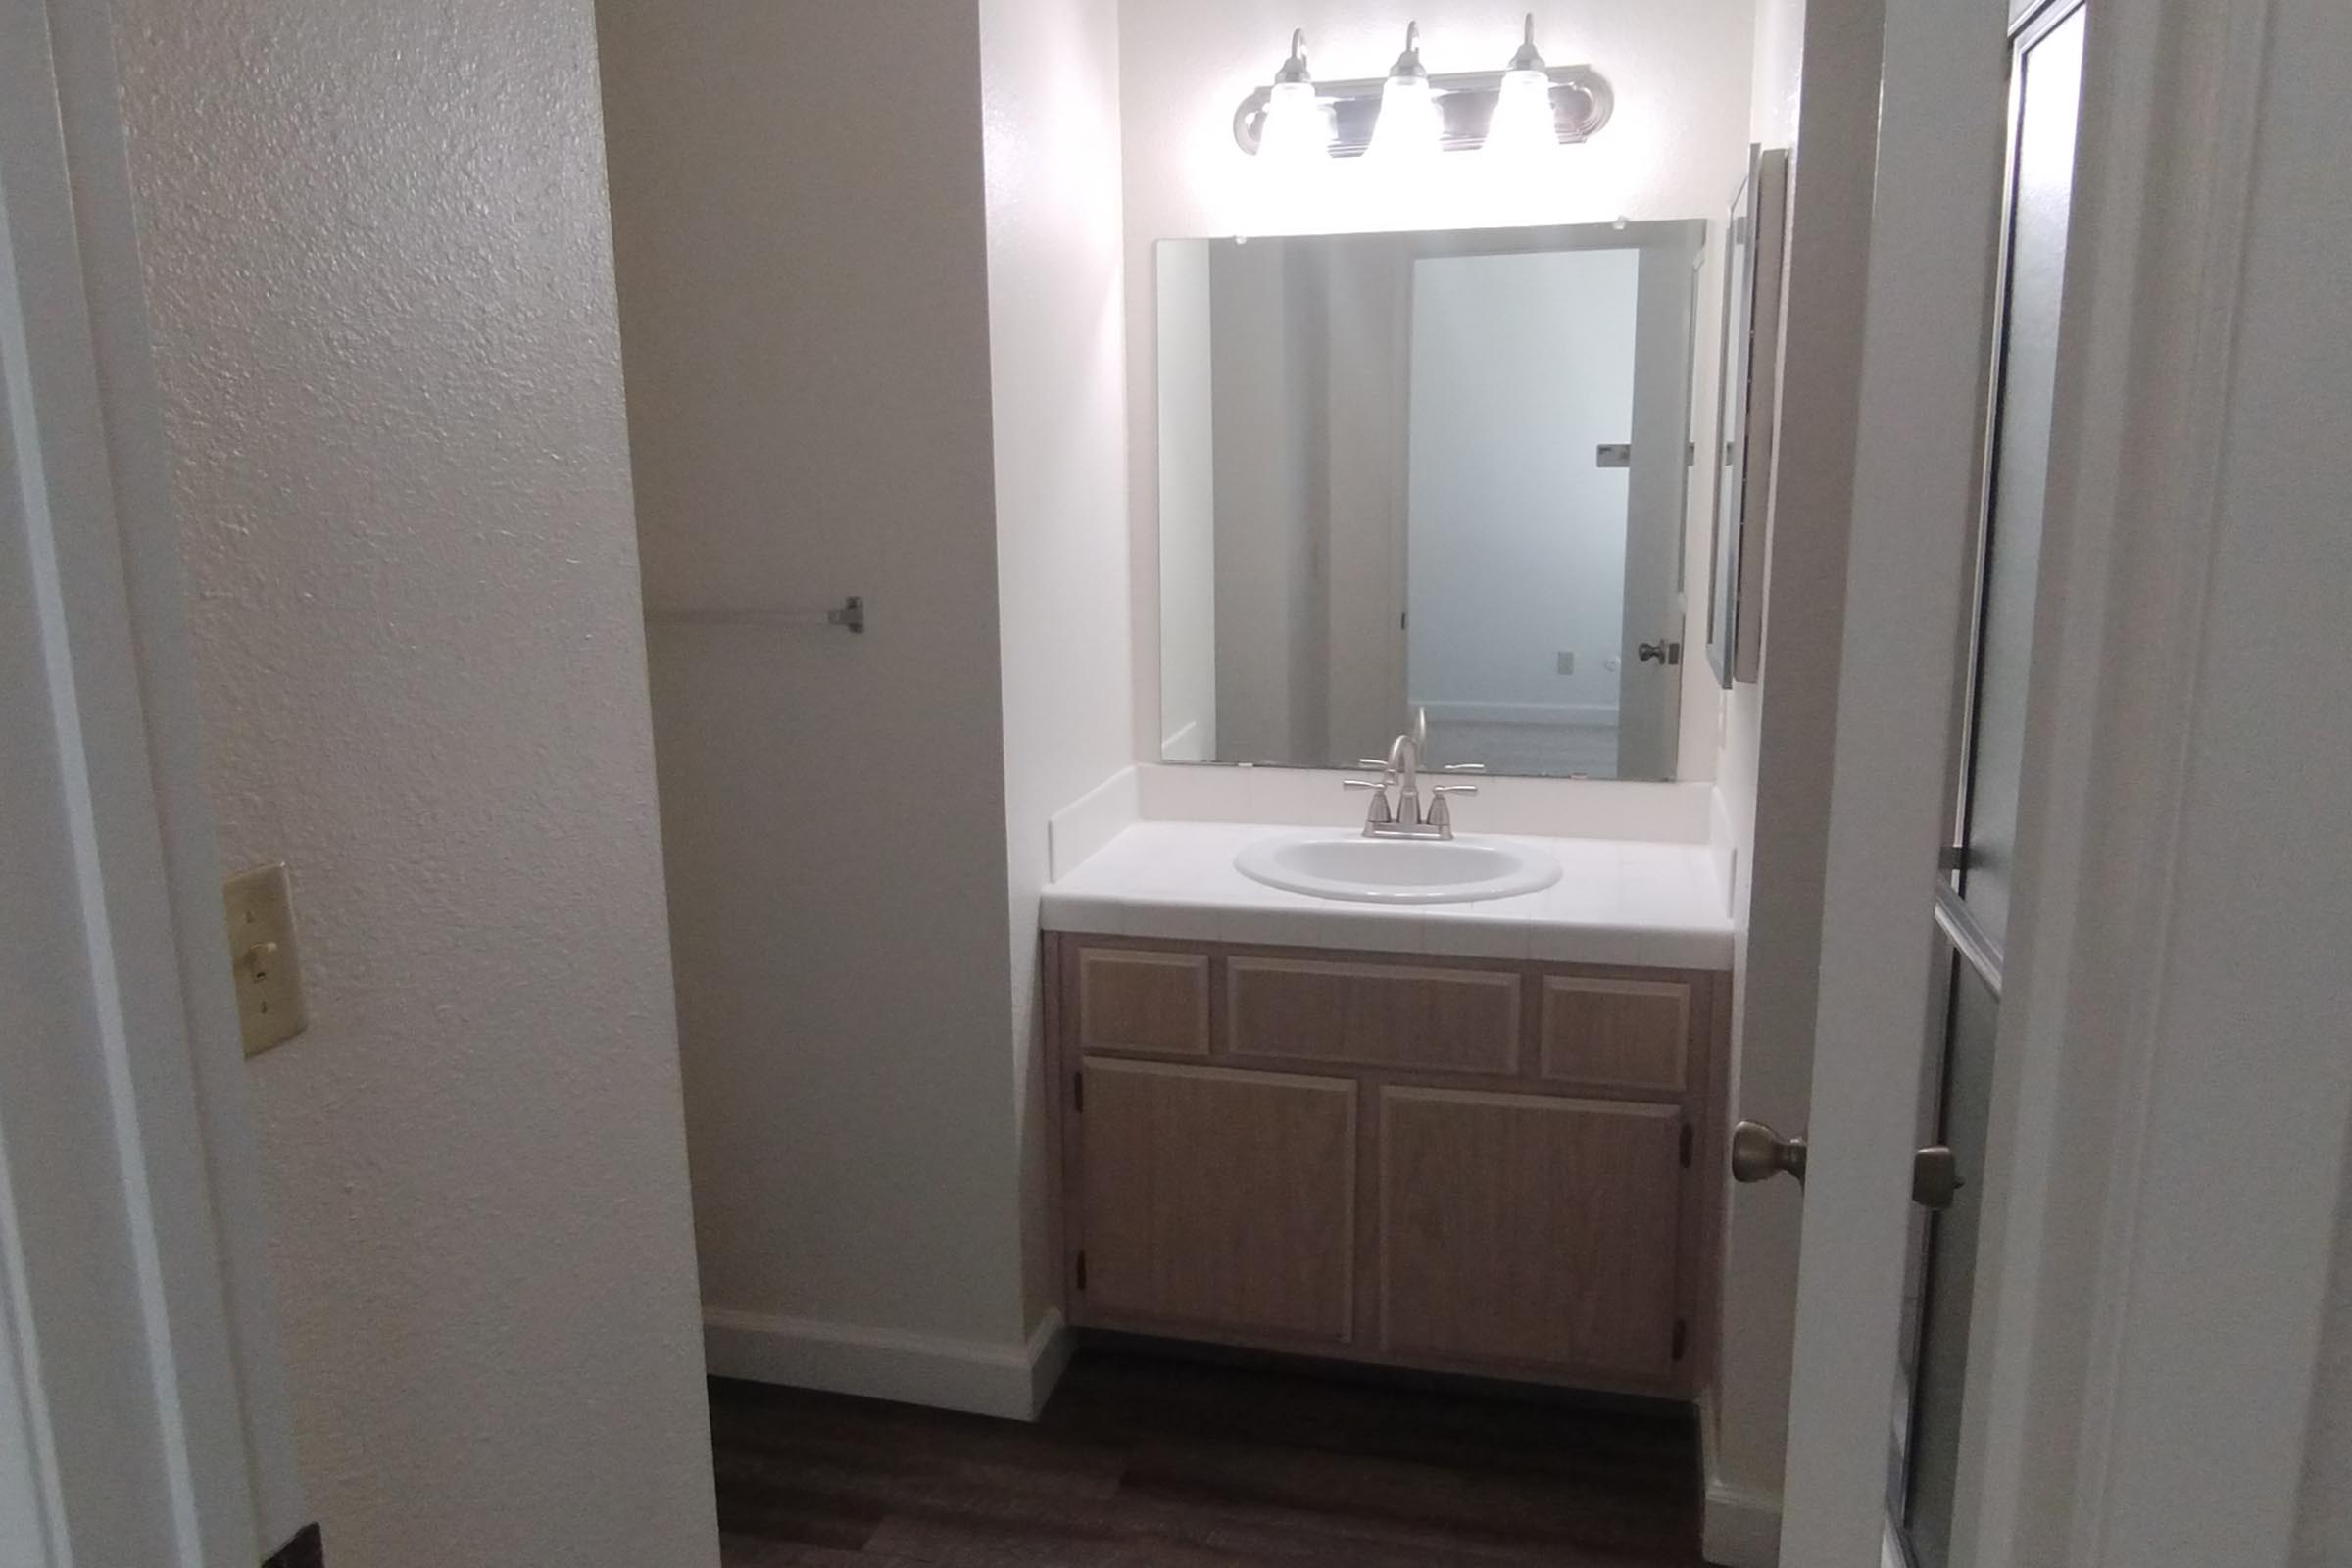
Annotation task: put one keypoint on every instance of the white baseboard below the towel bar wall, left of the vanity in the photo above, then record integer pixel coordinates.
(977, 1376)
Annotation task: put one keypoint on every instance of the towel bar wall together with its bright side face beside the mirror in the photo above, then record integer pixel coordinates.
(871, 297)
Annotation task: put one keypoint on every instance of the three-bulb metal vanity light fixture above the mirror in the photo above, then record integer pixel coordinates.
(1523, 107)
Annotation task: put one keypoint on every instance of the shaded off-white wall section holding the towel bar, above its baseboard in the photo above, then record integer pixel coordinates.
(801, 239)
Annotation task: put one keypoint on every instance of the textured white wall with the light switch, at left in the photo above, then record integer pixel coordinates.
(380, 276)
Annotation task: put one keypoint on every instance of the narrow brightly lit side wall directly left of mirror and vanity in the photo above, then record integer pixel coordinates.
(1057, 333)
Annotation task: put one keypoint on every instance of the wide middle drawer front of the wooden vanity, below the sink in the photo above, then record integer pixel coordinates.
(1375, 1014)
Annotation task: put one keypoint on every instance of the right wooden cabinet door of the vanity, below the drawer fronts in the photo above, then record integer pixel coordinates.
(1523, 1228)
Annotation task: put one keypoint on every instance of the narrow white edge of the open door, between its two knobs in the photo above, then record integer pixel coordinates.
(1927, 311)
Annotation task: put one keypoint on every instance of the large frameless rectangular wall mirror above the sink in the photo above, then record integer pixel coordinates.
(1426, 474)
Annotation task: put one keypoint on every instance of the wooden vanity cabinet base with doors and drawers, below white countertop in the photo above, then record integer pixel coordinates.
(1450, 1165)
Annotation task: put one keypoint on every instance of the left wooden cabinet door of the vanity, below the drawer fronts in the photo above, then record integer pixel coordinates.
(1220, 1200)
